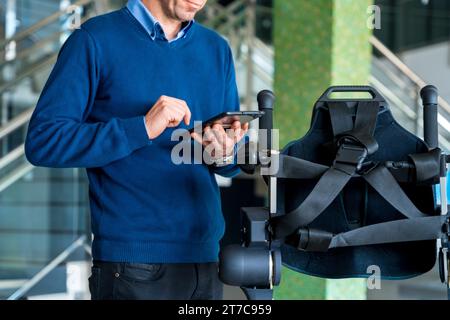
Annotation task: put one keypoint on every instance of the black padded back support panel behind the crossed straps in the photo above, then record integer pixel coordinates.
(357, 205)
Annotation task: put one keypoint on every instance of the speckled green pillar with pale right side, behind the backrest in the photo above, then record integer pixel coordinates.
(318, 43)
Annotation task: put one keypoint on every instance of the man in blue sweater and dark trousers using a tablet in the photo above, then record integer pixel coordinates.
(122, 84)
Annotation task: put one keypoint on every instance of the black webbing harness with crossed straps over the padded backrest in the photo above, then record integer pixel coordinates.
(354, 146)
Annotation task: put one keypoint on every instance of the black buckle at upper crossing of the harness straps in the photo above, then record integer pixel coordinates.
(350, 153)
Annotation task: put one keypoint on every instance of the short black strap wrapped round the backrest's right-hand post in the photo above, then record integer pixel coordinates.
(427, 164)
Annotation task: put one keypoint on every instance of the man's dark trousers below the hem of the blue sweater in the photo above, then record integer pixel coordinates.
(135, 281)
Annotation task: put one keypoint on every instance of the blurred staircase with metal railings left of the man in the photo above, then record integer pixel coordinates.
(43, 212)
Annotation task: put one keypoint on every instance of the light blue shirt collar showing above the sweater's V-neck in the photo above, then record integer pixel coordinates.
(150, 24)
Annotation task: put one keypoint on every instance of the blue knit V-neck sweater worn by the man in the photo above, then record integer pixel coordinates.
(144, 208)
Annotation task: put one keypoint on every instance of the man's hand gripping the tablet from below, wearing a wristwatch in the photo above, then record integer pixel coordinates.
(218, 142)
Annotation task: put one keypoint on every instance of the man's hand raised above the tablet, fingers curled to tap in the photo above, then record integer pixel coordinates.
(167, 112)
